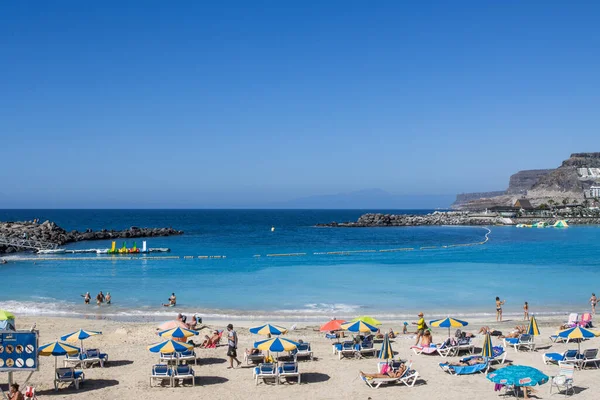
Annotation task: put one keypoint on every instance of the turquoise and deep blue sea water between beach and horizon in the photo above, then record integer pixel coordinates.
(555, 270)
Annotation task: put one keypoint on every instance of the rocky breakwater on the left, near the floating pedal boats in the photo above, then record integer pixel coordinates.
(49, 232)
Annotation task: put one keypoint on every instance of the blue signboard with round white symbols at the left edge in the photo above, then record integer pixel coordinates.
(18, 351)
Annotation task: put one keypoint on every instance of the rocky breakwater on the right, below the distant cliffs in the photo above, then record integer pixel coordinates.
(436, 218)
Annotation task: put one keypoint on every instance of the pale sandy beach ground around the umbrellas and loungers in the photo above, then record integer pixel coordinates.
(326, 377)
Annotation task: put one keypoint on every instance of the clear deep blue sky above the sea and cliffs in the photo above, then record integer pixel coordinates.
(240, 103)
